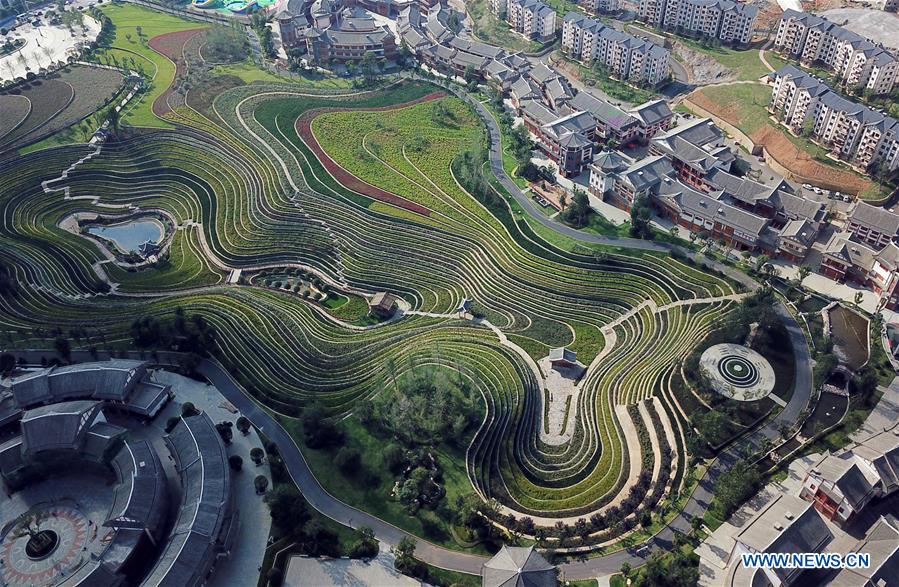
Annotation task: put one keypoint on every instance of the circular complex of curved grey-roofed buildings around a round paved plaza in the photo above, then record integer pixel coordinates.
(60, 524)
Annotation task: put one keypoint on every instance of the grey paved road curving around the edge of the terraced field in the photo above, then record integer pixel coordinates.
(438, 556)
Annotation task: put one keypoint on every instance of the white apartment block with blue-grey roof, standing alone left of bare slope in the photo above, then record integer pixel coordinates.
(625, 56)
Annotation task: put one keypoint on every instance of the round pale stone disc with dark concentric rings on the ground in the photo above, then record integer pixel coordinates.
(737, 372)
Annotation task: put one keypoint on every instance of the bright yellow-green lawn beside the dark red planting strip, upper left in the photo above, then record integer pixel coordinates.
(126, 18)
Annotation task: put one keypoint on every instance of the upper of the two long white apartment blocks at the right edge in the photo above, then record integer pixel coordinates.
(857, 61)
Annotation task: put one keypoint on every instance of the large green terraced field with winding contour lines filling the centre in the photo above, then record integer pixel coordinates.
(383, 211)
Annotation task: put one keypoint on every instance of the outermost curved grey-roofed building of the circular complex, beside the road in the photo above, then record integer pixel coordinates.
(206, 518)
